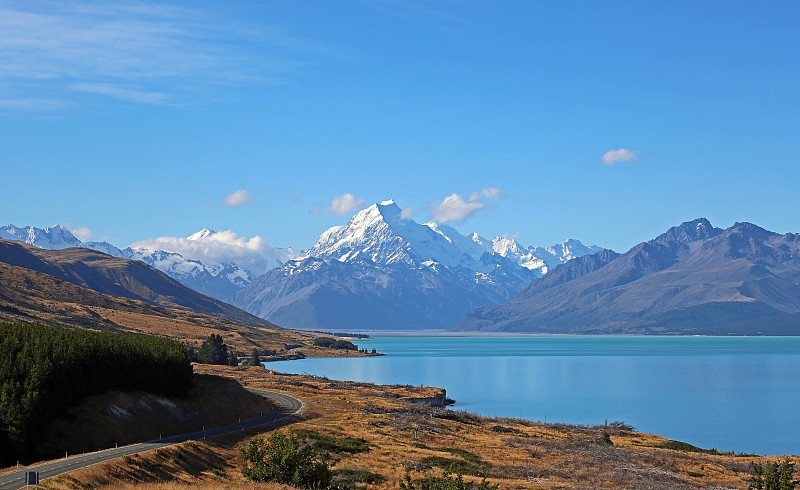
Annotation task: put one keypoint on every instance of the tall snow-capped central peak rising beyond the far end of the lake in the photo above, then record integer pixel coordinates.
(381, 271)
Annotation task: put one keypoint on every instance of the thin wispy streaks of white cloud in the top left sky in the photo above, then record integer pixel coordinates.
(150, 53)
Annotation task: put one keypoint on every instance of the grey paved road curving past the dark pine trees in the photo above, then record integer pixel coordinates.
(15, 480)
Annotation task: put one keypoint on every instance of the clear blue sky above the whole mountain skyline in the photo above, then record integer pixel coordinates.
(137, 120)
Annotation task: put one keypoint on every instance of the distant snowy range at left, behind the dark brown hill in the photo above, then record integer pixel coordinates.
(217, 279)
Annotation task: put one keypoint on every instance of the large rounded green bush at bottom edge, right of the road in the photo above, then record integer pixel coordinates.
(283, 459)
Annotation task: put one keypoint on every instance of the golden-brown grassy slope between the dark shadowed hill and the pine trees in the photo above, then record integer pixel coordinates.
(31, 296)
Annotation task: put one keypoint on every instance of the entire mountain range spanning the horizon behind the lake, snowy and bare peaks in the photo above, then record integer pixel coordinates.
(381, 270)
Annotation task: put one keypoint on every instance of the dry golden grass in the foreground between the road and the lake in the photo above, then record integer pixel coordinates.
(513, 453)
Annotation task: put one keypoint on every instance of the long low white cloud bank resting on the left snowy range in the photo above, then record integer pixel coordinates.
(252, 254)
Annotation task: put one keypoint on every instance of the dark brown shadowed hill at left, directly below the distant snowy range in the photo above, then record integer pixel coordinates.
(120, 277)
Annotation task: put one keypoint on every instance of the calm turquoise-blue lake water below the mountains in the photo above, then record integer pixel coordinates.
(731, 393)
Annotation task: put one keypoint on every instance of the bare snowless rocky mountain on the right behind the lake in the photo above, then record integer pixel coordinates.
(693, 279)
